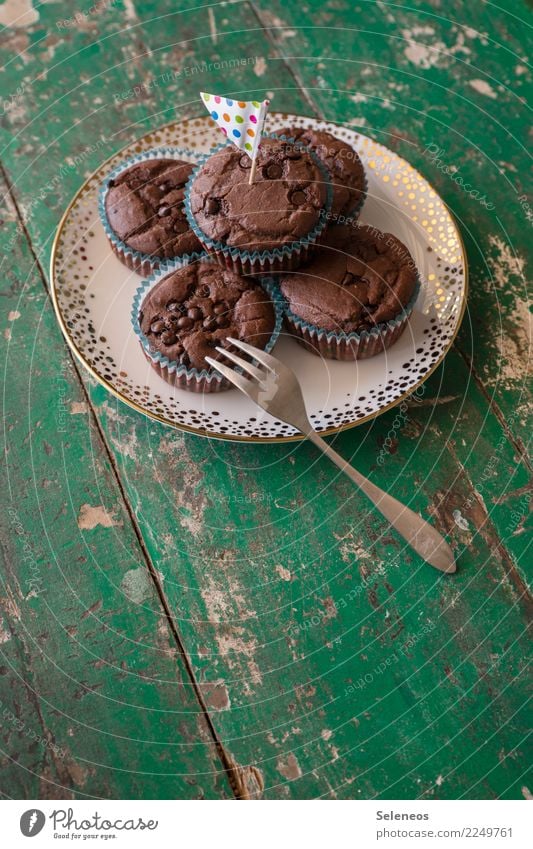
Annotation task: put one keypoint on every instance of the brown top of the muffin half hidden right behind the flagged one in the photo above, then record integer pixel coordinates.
(344, 165)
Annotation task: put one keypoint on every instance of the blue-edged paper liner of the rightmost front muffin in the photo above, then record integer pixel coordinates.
(338, 345)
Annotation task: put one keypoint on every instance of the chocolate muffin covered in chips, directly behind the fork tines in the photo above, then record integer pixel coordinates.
(186, 313)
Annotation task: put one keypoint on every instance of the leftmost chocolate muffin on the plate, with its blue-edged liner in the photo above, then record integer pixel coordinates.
(144, 213)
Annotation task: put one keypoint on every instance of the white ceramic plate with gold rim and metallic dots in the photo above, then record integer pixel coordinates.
(93, 293)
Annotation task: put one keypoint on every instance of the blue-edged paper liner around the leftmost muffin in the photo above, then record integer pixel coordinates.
(136, 260)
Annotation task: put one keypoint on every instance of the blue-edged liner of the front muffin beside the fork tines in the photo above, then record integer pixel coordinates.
(192, 379)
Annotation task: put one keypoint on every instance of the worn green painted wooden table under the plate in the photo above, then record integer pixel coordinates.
(185, 618)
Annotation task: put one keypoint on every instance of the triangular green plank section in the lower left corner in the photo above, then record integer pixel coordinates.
(95, 699)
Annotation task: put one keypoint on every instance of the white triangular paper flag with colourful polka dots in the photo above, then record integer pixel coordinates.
(241, 121)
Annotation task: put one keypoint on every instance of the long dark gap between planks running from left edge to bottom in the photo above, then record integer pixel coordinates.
(240, 777)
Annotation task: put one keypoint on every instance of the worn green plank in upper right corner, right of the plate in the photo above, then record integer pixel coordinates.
(448, 92)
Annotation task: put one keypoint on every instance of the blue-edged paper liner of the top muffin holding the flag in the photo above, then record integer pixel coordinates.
(285, 258)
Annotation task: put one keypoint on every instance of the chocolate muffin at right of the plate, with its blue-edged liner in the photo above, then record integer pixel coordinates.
(355, 296)
